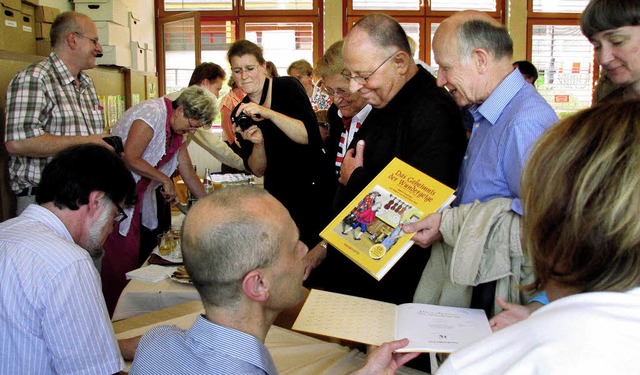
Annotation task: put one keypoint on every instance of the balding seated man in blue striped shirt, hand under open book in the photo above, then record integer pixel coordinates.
(244, 255)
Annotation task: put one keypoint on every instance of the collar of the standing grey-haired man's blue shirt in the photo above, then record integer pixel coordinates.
(492, 108)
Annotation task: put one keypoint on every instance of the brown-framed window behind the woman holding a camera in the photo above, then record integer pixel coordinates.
(195, 31)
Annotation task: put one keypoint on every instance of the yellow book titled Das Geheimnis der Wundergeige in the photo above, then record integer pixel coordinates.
(369, 229)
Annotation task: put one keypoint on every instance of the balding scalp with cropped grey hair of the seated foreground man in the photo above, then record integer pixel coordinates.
(227, 234)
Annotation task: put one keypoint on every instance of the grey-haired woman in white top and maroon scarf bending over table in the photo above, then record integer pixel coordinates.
(153, 134)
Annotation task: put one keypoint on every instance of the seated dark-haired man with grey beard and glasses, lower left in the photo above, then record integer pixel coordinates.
(53, 317)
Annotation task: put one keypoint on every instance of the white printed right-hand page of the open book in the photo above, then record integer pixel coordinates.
(439, 328)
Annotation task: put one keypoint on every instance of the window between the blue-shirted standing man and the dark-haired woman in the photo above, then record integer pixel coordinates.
(563, 56)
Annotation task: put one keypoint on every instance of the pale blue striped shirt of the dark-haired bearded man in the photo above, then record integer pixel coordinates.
(53, 317)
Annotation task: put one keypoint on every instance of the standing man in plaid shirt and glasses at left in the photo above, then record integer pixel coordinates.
(53, 104)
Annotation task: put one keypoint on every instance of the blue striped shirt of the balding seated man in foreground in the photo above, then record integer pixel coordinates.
(205, 348)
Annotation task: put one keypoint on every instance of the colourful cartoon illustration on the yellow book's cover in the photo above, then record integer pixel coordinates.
(380, 216)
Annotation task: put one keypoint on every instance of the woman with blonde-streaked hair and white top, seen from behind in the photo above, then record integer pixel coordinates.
(581, 231)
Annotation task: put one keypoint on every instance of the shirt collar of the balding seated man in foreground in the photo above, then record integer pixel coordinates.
(233, 343)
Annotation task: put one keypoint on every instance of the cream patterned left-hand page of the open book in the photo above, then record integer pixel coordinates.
(347, 317)
